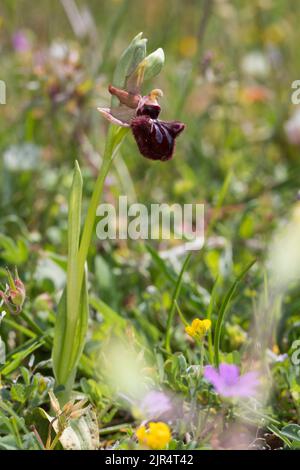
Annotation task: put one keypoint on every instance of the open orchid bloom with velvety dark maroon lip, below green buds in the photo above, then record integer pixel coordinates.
(155, 138)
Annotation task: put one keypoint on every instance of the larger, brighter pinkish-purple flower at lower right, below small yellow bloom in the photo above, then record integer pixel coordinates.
(228, 382)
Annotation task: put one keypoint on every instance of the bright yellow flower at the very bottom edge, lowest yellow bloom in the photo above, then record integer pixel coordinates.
(156, 436)
